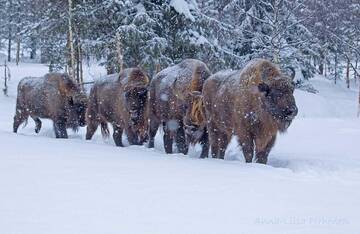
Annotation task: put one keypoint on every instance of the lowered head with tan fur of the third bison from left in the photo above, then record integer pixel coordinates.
(194, 120)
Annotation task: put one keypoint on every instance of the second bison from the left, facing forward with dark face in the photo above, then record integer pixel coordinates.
(120, 100)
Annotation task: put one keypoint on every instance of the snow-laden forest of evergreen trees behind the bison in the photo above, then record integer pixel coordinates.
(312, 36)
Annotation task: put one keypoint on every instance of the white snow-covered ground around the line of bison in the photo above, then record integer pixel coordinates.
(310, 185)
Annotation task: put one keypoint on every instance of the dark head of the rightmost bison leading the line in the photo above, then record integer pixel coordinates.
(278, 99)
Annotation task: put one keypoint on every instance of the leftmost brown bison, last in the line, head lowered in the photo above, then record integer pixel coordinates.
(54, 96)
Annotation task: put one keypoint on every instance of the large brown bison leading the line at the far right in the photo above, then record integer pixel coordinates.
(252, 104)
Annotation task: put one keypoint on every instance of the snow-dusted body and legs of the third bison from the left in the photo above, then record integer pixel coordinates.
(169, 98)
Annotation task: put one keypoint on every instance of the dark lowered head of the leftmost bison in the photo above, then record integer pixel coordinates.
(77, 111)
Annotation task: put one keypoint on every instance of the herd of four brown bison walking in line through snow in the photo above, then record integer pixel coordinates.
(191, 104)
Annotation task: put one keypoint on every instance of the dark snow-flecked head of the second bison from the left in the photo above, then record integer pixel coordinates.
(135, 103)
